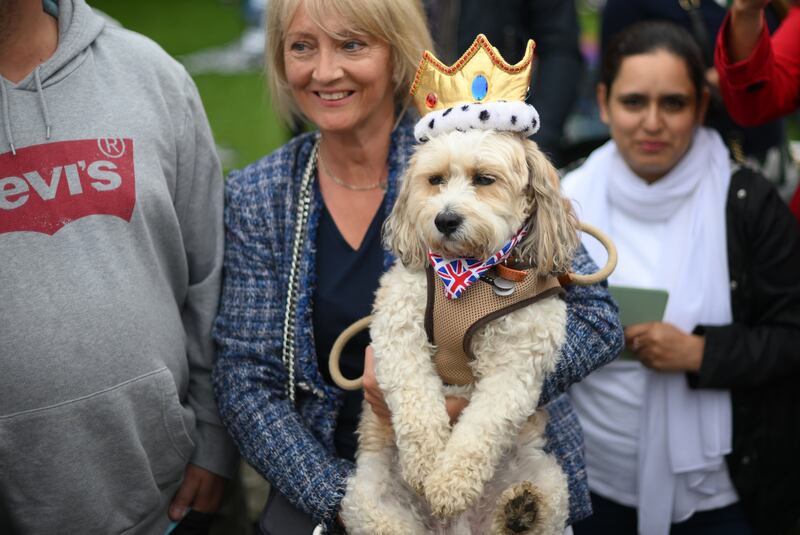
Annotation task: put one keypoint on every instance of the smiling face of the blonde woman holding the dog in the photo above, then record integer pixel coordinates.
(341, 82)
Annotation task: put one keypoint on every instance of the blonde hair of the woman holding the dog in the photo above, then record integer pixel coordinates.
(400, 23)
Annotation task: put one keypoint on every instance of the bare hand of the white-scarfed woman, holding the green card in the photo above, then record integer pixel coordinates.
(663, 347)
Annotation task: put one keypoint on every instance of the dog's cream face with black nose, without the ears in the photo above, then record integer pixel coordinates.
(466, 192)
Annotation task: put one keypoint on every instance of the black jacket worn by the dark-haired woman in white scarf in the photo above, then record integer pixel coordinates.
(757, 357)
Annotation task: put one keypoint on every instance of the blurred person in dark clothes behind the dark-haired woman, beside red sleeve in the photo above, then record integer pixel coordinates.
(764, 147)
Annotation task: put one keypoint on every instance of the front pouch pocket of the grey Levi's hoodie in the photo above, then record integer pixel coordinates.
(97, 464)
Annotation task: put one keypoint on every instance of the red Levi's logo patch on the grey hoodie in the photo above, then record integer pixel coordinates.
(45, 187)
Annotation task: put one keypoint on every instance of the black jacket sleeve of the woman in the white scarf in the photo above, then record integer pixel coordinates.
(762, 343)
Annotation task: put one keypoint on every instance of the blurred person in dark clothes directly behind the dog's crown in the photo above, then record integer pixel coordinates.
(508, 24)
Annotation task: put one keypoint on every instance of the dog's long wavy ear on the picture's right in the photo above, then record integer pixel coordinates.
(552, 230)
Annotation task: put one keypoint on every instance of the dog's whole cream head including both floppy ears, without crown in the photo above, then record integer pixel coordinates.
(465, 194)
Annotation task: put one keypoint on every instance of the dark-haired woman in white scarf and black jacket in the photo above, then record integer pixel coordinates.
(699, 433)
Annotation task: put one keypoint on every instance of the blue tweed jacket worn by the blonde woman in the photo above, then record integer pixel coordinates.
(292, 447)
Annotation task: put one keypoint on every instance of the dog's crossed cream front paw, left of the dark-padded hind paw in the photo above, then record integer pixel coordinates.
(450, 492)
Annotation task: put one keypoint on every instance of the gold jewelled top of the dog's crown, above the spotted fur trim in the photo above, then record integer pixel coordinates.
(480, 75)
